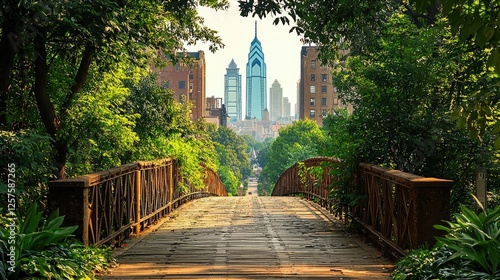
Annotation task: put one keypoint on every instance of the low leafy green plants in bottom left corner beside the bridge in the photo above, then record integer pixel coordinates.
(41, 249)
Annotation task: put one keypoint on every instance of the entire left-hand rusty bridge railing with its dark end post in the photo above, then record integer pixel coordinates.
(108, 205)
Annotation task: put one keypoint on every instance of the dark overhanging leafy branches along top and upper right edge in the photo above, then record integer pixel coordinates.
(355, 25)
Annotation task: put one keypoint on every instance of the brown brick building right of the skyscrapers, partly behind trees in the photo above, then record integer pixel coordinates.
(317, 96)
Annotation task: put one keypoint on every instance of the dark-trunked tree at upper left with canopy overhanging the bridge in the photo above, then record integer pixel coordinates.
(48, 36)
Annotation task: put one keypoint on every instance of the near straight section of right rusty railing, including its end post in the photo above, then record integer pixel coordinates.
(401, 209)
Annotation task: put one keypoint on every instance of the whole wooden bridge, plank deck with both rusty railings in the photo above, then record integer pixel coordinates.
(140, 209)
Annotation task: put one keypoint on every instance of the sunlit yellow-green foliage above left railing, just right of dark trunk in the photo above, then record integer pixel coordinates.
(101, 132)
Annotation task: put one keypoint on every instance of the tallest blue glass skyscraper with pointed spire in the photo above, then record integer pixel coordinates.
(256, 80)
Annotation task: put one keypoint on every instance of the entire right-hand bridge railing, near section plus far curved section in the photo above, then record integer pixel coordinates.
(399, 209)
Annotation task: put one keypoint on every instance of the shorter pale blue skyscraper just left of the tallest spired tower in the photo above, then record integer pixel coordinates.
(232, 92)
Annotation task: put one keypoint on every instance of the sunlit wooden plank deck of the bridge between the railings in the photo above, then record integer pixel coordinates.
(249, 237)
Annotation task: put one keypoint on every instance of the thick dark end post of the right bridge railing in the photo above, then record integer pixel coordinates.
(432, 205)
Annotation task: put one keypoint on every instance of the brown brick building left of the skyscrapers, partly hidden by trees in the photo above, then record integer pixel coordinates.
(188, 82)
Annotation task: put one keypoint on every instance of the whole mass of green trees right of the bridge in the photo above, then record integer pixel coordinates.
(422, 78)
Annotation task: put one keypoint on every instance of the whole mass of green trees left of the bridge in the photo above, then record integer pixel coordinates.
(78, 94)
